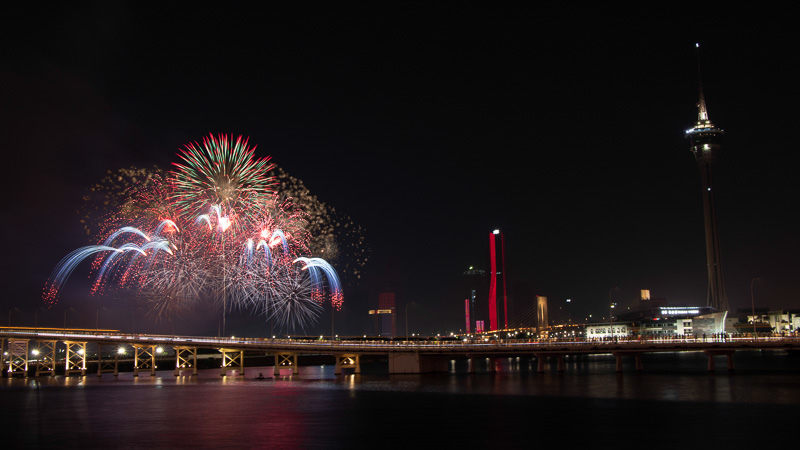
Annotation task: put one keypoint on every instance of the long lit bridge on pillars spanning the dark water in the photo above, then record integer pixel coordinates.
(37, 346)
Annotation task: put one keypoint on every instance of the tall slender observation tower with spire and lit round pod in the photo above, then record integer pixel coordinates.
(705, 144)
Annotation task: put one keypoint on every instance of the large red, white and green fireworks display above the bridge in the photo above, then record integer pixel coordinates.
(212, 232)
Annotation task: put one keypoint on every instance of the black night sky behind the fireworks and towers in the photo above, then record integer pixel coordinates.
(429, 126)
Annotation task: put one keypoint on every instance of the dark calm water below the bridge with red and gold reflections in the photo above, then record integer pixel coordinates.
(675, 403)
